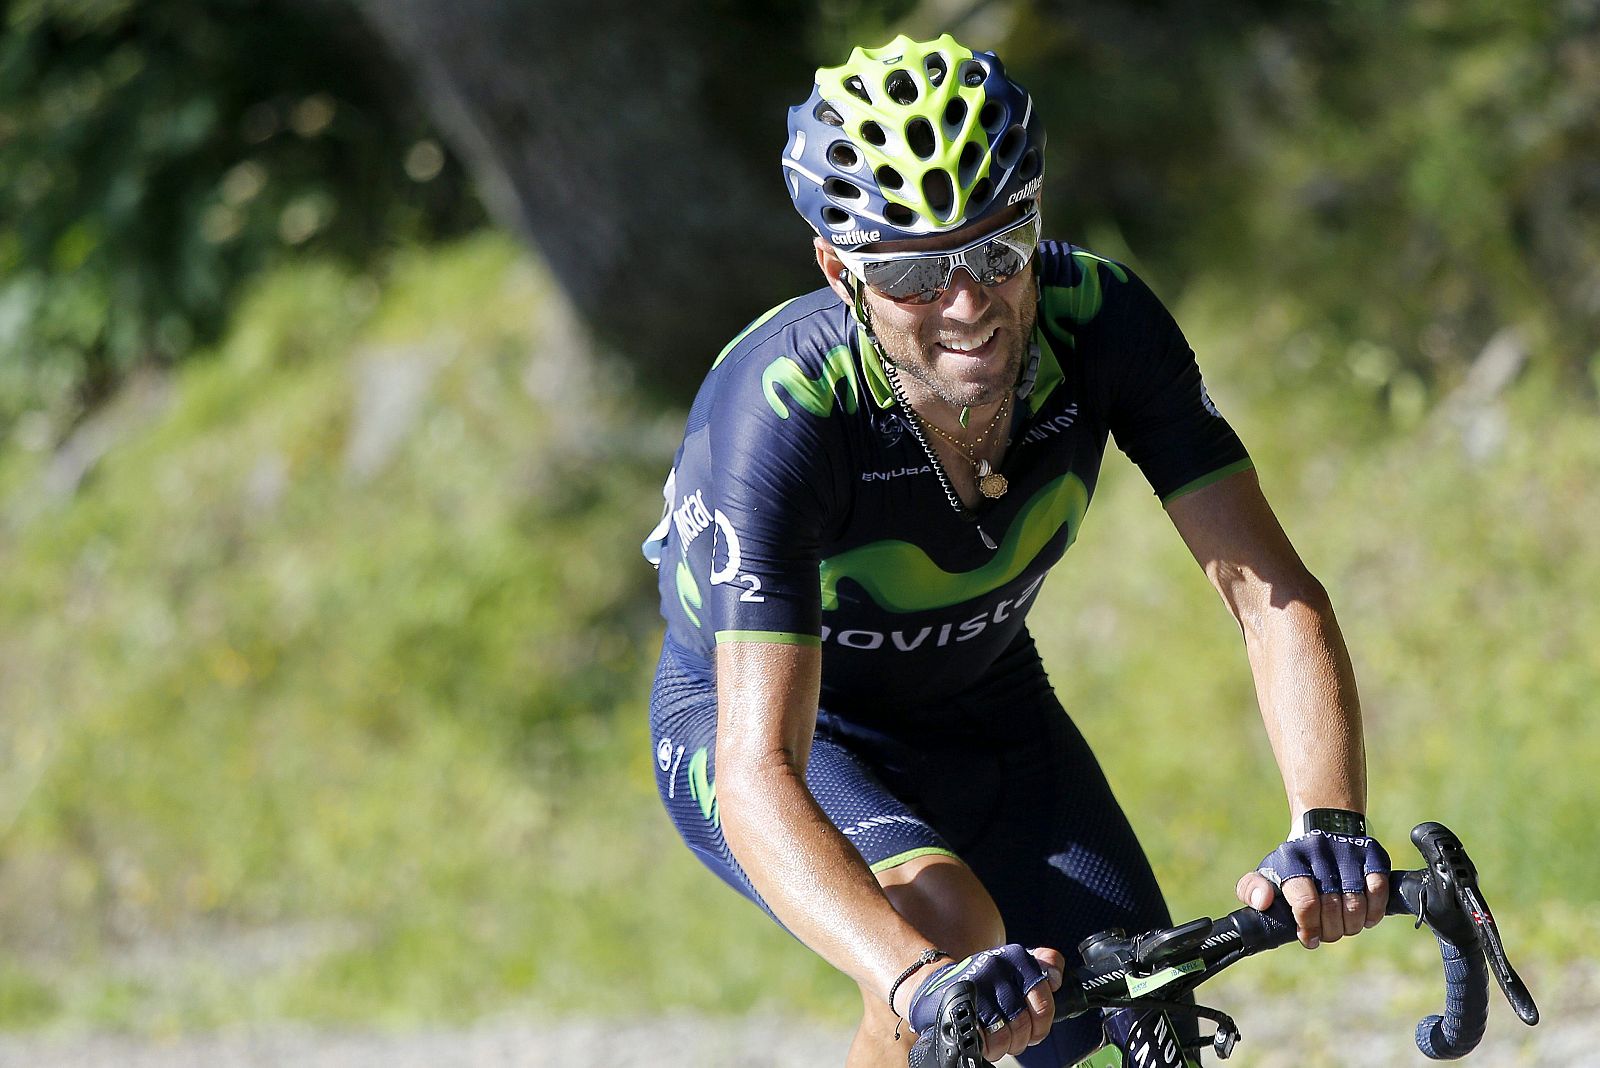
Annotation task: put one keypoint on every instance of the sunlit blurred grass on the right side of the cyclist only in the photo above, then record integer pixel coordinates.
(1460, 556)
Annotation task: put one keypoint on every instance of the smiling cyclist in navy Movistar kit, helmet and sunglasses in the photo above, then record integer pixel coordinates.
(850, 722)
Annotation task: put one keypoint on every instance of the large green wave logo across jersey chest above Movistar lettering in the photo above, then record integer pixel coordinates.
(902, 578)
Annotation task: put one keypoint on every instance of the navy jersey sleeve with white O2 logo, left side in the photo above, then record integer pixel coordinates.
(775, 453)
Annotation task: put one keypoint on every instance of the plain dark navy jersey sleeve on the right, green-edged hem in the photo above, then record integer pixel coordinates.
(1158, 405)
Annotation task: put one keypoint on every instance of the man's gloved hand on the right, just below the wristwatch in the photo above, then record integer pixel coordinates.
(1337, 885)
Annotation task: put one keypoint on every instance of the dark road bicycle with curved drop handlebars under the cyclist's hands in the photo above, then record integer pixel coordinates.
(1151, 974)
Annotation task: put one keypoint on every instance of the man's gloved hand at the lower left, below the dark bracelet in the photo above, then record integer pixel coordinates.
(1017, 1003)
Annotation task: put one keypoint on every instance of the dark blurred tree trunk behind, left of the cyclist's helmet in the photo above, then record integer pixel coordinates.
(636, 146)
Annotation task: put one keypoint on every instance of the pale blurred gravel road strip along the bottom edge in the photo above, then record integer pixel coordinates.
(1359, 1029)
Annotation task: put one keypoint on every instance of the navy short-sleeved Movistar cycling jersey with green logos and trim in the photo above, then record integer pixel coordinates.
(801, 509)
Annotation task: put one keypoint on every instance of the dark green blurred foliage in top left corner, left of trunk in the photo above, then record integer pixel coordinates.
(158, 154)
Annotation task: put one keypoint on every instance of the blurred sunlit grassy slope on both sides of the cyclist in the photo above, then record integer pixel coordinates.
(297, 733)
